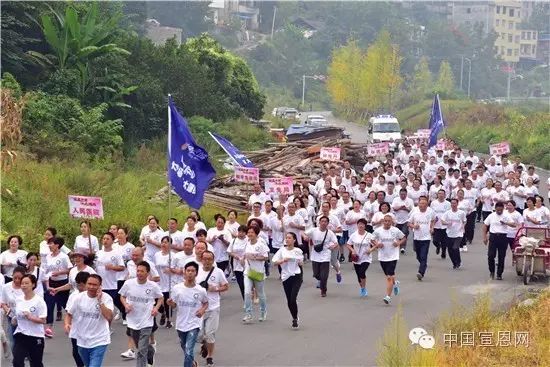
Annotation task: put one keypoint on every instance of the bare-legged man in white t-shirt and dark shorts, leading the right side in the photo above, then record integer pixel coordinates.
(387, 240)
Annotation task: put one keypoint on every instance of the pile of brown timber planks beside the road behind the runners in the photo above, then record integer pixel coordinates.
(298, 159)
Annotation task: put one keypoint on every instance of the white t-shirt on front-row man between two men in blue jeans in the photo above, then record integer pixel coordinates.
(142, 298)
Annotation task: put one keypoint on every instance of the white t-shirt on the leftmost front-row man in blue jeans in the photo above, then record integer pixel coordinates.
(91, 328)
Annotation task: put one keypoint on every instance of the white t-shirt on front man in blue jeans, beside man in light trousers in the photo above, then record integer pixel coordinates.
(188, 301)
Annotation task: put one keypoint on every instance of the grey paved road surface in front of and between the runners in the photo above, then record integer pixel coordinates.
(340, 330)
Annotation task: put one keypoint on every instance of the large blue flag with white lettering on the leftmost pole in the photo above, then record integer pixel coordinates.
(189, 170)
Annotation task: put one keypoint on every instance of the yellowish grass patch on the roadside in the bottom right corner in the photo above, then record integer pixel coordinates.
(490, 328)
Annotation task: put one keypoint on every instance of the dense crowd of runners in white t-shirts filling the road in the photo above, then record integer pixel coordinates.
(174, 278)
